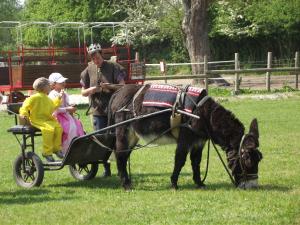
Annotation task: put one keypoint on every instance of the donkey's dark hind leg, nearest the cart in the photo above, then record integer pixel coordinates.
(122, 154)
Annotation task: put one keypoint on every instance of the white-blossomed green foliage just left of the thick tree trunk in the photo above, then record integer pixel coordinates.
(157, 28)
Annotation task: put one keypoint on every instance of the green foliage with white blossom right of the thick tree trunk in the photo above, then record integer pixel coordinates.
(254, 27)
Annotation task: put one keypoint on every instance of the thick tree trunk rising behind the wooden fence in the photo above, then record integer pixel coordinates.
(195, 29)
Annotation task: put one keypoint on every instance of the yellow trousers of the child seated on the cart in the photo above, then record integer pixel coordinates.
(51, 135)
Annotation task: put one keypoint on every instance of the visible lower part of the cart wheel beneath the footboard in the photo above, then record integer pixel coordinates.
(84, 171)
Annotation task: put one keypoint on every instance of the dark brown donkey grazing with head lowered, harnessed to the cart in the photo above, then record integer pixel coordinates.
(215, 123)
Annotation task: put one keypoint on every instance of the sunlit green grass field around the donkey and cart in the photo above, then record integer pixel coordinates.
(63, 200)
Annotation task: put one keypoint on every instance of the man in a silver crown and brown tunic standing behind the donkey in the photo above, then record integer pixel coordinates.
(93, 79)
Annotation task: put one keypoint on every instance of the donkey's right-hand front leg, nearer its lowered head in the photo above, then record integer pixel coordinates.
(196, 156)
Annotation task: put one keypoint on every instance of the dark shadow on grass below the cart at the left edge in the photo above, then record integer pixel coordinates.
(28, 197)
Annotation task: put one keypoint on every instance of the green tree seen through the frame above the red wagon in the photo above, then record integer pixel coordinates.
(67, 11)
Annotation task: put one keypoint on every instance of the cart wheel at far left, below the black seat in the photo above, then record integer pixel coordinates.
(33, 173)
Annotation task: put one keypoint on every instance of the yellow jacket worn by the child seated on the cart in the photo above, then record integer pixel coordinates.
(39, 108)
